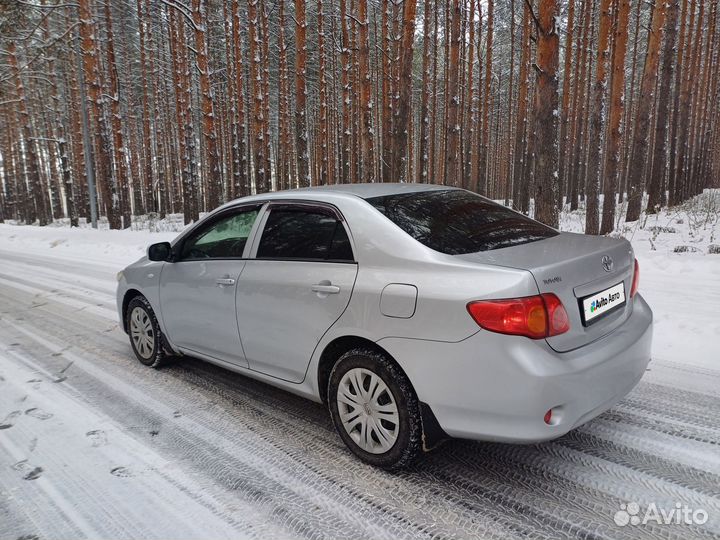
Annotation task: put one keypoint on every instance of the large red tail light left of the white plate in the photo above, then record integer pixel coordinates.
(536, 317)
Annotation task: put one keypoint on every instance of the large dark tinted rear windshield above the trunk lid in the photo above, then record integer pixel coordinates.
(456, 222)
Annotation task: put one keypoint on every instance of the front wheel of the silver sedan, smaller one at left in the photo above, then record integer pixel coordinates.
(146, 337)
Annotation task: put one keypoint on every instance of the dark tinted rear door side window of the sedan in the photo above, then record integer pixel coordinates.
(304, 234)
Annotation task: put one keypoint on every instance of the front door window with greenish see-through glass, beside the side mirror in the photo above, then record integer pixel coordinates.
(223, 239)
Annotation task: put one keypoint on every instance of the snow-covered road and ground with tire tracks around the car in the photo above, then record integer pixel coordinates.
(92, 444)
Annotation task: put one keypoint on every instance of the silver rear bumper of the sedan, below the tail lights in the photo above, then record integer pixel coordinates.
(498, 388)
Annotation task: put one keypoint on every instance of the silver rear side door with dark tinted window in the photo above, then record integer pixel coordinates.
(295, 287)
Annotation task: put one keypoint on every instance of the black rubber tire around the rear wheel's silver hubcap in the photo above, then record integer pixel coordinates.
(408, 445)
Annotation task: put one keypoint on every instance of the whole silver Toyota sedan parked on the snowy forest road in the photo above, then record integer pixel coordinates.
(414, 312)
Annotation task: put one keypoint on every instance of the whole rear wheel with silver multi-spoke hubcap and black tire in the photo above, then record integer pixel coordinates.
(374, 409)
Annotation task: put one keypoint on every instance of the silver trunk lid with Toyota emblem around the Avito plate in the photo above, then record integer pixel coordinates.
(574, 267)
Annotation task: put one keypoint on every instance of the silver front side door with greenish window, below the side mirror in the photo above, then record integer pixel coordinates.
(197, 291)
